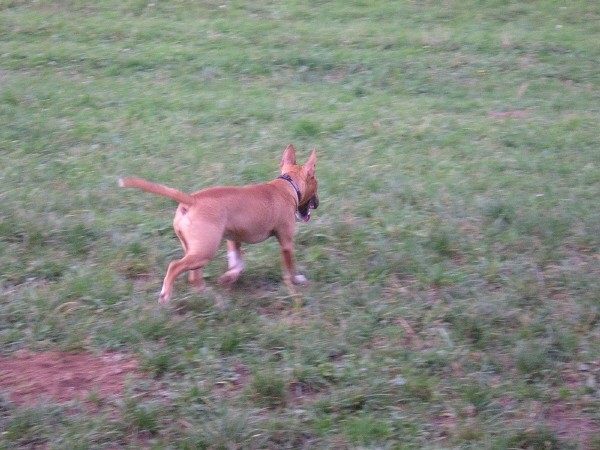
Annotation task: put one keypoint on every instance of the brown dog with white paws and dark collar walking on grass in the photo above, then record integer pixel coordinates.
(248, 214)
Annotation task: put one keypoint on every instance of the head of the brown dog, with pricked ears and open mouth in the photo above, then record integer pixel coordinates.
(305, 179)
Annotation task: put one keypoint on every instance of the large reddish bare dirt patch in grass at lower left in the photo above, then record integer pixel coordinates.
(29, 378)
